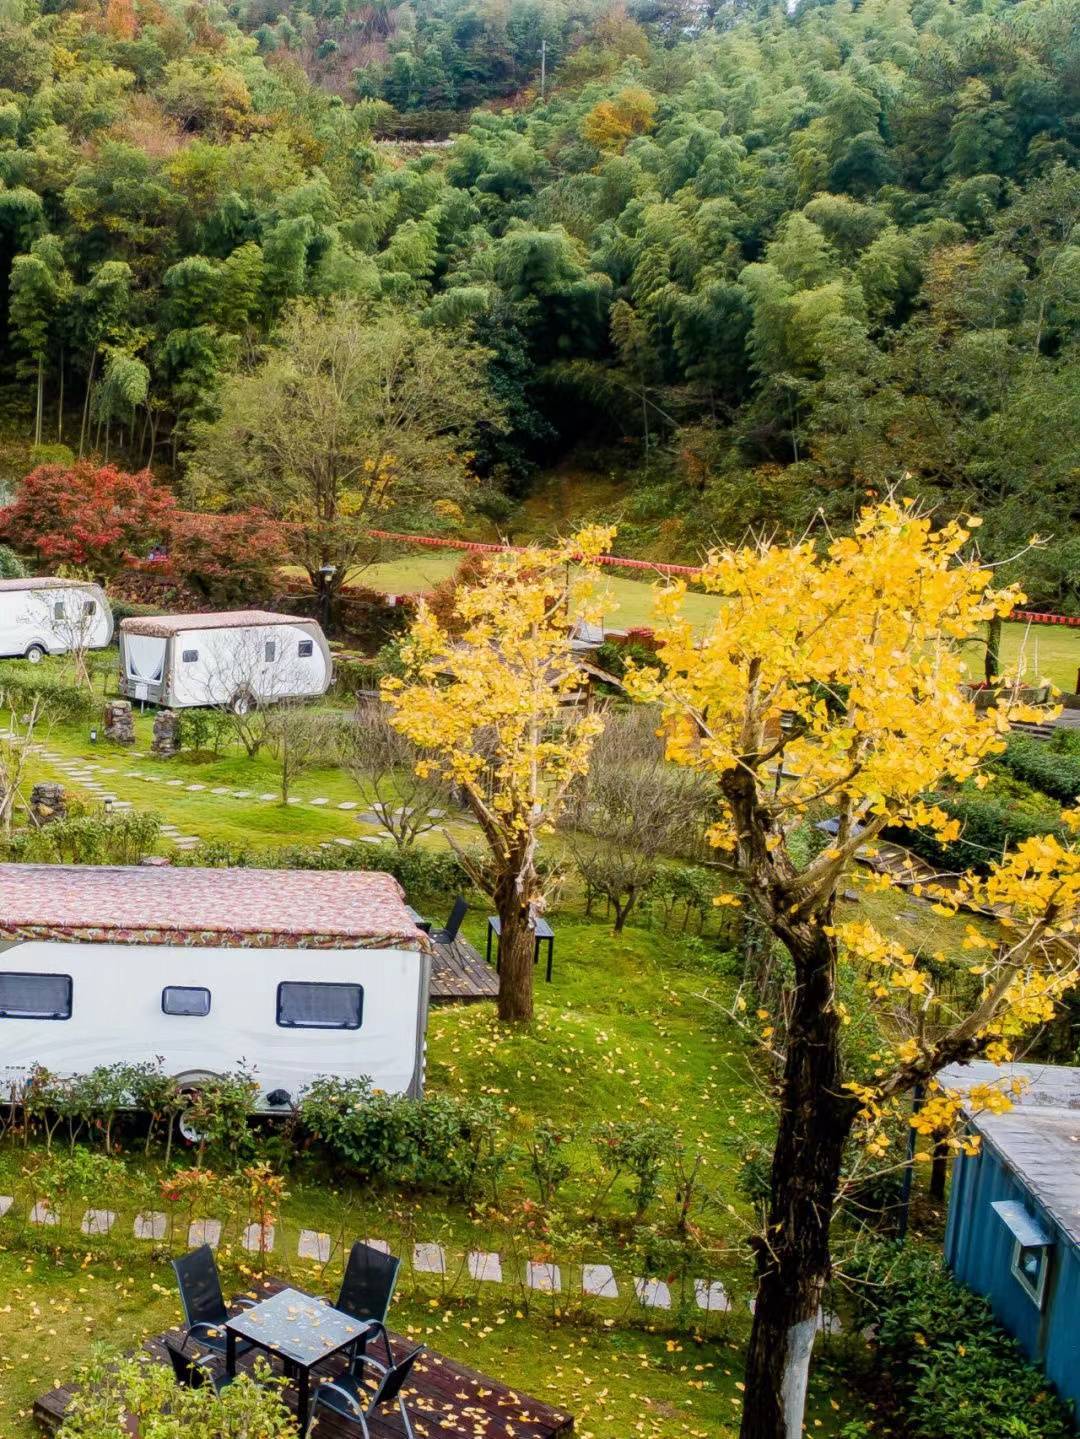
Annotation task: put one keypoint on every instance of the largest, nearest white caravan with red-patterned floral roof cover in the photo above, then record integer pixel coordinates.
(297, 973)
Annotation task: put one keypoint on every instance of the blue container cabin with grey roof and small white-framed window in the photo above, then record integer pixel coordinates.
(1015, 1212)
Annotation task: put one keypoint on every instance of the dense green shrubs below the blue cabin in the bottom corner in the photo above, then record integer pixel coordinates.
(954, 1374)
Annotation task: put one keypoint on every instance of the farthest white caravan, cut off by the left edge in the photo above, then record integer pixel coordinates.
(44, 617)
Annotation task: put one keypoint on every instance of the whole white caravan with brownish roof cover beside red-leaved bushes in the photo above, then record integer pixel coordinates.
(238, 658)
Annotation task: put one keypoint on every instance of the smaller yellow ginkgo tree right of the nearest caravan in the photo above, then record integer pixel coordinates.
(485, 703)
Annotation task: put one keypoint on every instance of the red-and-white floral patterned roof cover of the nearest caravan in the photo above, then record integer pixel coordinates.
(206, 907)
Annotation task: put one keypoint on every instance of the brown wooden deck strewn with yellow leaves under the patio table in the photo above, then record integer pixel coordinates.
(444, 1399)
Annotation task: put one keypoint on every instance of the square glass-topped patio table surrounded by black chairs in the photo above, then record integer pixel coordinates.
(298, 1327)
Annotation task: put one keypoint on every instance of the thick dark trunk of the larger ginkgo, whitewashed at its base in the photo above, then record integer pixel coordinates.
(793, 1258)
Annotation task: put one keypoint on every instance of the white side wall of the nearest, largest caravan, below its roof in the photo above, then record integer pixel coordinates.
(117, 1014)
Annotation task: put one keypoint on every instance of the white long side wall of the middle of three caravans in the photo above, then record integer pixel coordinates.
(271, 661)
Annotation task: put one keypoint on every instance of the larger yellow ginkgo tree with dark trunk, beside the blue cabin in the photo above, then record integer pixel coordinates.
(841, 670)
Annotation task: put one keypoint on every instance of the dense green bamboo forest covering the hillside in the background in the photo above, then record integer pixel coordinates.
(786, 261)
